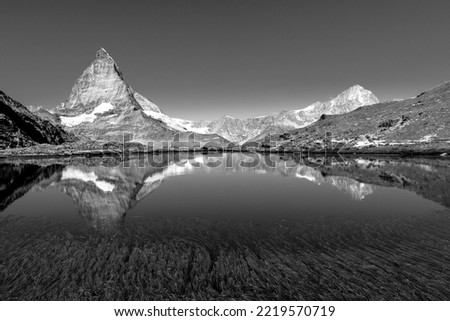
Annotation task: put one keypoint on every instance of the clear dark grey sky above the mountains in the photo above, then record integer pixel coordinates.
(202, 59)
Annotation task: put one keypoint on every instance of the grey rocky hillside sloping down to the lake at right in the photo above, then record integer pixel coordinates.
(422, 122)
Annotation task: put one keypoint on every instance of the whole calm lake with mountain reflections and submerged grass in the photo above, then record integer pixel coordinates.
(225, 226)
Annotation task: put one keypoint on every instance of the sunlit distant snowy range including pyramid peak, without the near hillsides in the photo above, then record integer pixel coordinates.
(102, 106)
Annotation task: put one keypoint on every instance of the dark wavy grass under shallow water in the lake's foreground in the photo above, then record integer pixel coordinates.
(207, 259)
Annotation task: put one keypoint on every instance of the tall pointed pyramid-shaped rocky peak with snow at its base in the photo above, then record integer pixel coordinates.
(101, 96)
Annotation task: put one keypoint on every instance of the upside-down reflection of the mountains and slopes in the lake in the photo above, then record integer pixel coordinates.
(103, 195)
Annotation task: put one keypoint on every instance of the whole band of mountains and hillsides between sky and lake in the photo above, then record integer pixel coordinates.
(102, 107)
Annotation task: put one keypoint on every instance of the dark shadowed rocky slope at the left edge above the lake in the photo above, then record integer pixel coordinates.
(20, 128)
